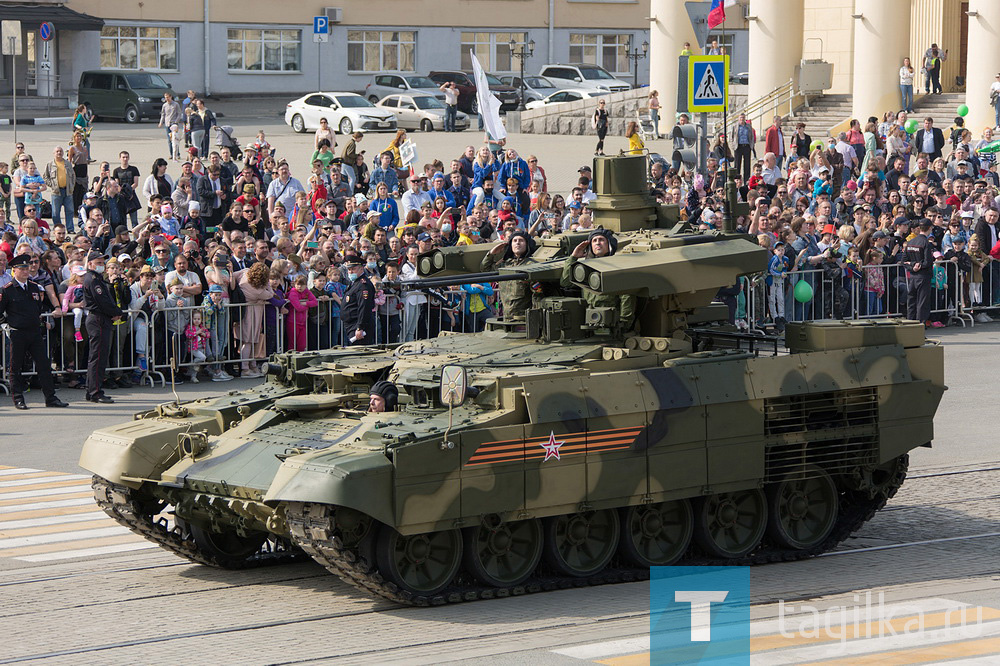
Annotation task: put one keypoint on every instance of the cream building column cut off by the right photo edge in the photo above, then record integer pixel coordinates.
(983, 64)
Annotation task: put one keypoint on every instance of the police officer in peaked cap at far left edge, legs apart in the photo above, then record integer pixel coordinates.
(21, 303)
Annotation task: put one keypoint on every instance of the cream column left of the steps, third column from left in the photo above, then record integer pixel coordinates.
(881, 41)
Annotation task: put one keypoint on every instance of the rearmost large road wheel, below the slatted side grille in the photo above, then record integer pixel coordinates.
(801, 512)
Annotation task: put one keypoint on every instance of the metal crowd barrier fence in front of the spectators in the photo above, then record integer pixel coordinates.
(240, 335)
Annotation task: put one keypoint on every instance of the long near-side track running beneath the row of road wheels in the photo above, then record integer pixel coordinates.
(313, 530)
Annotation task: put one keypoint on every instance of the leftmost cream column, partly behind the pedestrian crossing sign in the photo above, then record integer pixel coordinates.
(669, 28)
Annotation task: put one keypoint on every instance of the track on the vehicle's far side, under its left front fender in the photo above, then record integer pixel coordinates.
(123, 504)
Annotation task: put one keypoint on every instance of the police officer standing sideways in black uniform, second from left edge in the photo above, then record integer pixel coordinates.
(102, 313)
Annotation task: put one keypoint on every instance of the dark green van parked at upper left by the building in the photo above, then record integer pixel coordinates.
(129, 95)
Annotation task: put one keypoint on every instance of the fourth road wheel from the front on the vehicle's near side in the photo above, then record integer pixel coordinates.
(656, 535)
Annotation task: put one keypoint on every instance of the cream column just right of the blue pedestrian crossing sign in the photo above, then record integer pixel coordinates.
(775, 45)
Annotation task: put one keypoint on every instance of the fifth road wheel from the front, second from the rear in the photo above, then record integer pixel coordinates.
(730, 525)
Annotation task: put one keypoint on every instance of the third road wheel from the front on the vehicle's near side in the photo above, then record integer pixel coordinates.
(581, 544)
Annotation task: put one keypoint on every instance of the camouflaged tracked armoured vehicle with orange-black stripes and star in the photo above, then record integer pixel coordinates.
(578, 444)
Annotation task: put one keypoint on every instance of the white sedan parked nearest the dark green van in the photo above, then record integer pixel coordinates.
(344, 113)
